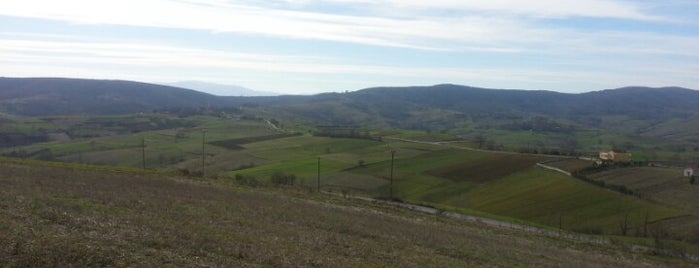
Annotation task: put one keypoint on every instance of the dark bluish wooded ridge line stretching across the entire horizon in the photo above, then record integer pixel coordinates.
(388, 106)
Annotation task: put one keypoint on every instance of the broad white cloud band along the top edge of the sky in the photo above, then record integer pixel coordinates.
(420, 31)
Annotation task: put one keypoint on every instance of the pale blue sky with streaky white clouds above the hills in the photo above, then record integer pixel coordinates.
(313, 46)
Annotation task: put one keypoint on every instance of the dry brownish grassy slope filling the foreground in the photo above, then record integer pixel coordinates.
(53, 216)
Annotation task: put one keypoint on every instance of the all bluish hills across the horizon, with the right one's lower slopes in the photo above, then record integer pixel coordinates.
(657, 122)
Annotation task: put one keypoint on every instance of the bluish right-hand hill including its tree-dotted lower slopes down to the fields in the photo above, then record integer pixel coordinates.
(654, 122)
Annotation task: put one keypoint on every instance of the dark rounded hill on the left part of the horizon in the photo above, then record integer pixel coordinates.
(59, 96)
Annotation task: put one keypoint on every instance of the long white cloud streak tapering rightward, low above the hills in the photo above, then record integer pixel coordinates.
(166, 63)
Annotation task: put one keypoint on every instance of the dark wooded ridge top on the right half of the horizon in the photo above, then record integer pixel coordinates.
(401, 104)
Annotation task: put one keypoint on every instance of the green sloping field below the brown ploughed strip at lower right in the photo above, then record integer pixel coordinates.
(550, 198)
